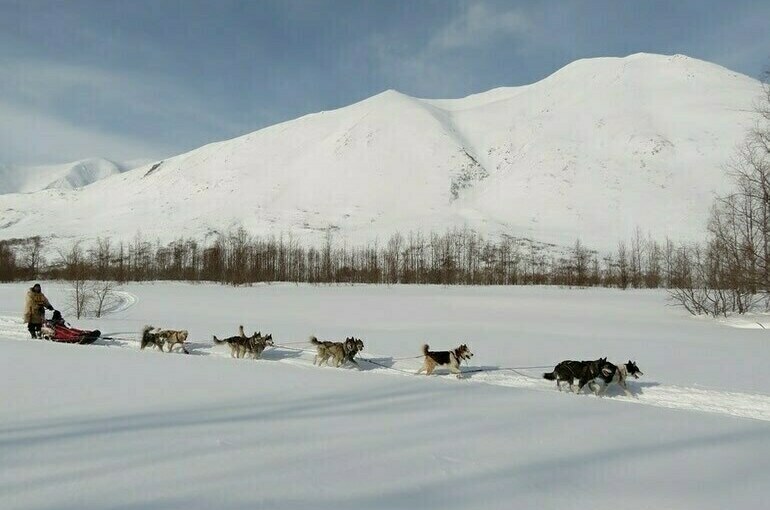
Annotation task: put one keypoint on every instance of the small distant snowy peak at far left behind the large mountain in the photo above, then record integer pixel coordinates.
(68, 176)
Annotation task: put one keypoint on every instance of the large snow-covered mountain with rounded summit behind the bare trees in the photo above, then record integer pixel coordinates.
(594, 150)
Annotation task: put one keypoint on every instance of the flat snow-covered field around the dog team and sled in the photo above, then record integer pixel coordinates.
(111, 427)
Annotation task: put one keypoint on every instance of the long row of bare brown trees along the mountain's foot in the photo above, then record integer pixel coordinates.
(456, 257)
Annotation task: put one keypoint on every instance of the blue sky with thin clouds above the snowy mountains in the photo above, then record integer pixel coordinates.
(148, 79)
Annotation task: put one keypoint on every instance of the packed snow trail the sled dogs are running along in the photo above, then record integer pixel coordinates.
(742, 405)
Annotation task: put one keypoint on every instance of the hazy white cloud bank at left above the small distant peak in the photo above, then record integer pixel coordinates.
(38, 125)
